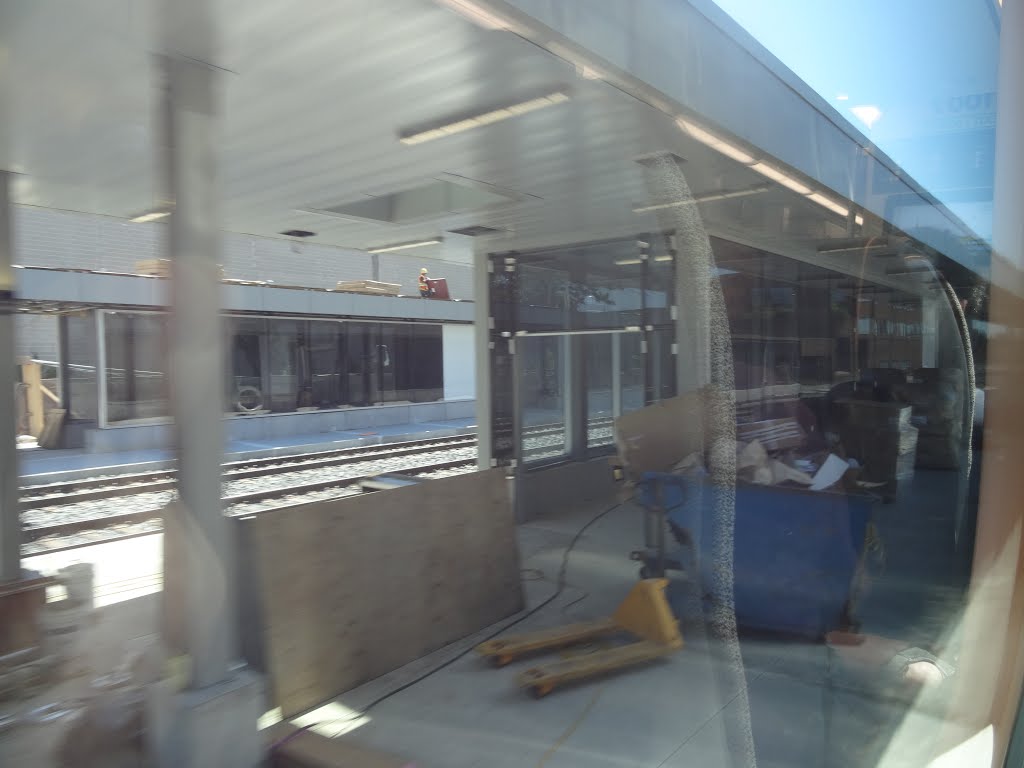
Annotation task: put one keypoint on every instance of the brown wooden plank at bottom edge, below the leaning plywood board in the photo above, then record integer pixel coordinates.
(294, 748)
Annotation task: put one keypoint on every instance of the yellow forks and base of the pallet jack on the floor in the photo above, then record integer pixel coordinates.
(645, 614)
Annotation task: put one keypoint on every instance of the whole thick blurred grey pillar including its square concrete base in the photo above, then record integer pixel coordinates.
(214, 720)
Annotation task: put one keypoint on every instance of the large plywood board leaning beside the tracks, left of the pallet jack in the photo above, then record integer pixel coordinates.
(354, 588)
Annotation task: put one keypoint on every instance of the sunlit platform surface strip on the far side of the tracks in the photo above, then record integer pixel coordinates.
(39, 465)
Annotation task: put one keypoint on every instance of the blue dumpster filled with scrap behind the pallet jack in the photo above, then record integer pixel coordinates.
(796, 552)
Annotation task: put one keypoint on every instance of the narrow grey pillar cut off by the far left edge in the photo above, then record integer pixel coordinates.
(11, 524)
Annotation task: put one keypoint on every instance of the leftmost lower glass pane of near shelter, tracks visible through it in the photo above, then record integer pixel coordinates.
(544, 398)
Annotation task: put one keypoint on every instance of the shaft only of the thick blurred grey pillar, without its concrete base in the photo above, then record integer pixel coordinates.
(197, 368)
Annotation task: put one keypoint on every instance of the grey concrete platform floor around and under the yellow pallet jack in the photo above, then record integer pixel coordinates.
(704, 707)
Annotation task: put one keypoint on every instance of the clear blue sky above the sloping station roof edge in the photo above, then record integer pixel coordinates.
(927, 67)
